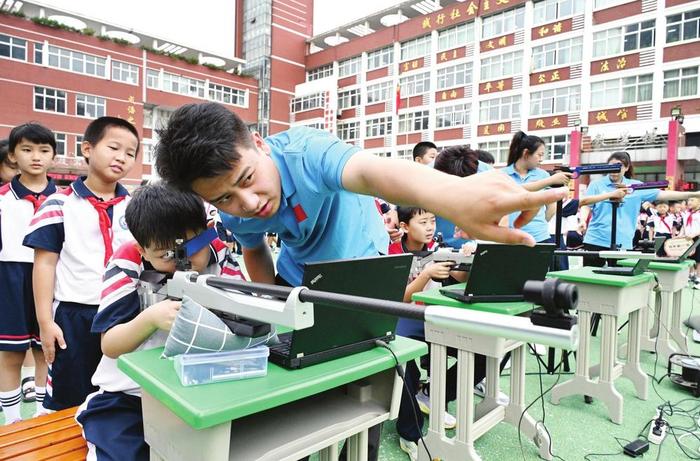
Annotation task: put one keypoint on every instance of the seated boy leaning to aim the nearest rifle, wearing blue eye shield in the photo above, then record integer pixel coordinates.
(157, 217)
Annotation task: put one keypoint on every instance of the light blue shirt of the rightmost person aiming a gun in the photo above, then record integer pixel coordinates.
(600, 225)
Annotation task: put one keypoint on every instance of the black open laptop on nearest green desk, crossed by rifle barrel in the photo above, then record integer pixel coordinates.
(339, 332)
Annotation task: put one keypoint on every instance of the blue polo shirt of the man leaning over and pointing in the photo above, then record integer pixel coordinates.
(317, 219)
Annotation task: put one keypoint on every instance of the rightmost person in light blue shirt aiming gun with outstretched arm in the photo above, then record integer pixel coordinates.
(599, 227)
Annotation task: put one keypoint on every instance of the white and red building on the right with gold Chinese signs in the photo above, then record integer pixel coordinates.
(475, 72)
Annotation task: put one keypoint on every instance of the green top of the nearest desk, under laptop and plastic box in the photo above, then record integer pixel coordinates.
(211, 404)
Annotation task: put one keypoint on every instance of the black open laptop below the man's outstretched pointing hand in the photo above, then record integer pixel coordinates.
(499, 272)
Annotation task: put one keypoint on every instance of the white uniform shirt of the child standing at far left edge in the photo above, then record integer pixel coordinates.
(16, 213)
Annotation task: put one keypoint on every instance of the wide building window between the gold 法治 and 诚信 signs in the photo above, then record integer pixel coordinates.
(628, 90)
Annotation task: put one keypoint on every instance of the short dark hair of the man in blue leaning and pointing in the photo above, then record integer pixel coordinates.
(200, 141)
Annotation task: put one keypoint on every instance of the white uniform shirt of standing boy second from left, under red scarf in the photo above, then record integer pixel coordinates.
(68, 224)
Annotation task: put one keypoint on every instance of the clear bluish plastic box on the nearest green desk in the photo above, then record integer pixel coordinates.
(215, 367)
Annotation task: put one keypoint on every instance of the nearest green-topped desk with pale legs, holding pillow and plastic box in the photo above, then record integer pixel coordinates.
(284, 416)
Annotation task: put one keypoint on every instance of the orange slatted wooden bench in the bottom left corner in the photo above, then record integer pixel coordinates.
(55, 437)
